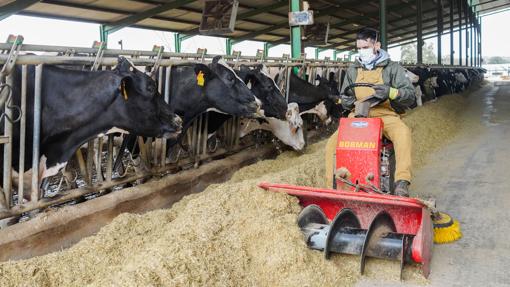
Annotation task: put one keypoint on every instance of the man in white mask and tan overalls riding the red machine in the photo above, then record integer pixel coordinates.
(391, 85)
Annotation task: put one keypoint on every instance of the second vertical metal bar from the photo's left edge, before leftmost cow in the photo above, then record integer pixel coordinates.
(22, 134)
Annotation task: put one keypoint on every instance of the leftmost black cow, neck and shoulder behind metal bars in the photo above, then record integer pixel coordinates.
(76, 106)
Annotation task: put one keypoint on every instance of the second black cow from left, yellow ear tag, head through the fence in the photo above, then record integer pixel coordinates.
(197, 88)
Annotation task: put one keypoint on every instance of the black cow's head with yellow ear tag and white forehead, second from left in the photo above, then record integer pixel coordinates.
(225, 91)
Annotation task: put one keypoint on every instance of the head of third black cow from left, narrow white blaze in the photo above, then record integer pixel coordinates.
(266, 90)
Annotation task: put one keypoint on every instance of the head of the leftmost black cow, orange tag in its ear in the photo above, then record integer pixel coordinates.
(143, 110)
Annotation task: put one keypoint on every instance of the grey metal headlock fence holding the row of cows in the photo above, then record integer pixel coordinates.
(94, 174)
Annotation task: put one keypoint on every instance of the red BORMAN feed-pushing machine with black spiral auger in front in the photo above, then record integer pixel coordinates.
(360, 216)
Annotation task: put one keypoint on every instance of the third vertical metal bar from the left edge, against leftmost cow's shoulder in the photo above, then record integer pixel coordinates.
(37, 132)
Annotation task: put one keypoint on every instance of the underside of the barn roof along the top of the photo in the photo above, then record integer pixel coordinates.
(261, 20)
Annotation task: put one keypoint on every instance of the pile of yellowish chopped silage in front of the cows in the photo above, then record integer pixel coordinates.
(232, 234)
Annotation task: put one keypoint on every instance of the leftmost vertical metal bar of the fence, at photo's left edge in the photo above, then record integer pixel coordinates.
(7, 173)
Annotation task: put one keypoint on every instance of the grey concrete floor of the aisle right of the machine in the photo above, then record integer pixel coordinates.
(470, 179)
